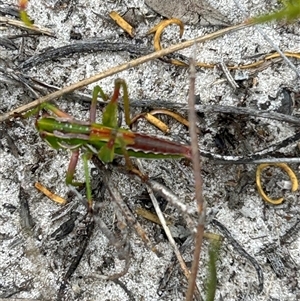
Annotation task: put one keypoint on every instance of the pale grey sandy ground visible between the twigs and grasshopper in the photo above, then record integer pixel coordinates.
(33, 262)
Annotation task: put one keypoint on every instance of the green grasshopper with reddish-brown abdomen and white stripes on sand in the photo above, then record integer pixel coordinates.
(105, 140)
